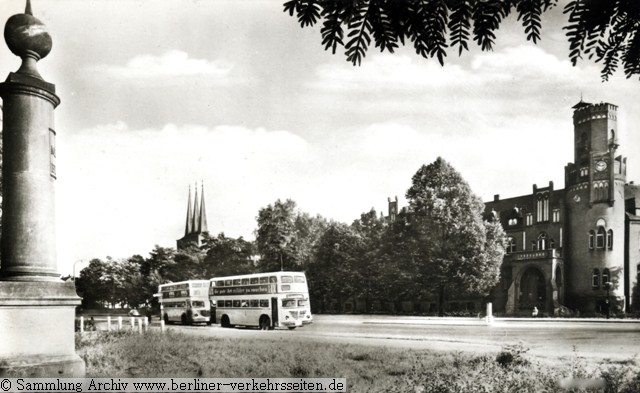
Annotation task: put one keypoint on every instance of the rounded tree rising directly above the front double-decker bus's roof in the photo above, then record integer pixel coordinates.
(276, 237)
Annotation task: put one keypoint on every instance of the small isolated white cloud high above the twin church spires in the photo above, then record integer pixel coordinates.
(171, 64)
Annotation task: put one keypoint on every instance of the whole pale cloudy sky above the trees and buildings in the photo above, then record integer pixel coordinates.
(160, 94)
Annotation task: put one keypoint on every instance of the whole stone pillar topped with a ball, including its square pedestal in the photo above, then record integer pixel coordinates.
(37, 308)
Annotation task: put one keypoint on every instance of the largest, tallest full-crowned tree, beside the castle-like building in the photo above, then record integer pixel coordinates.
(455, 248)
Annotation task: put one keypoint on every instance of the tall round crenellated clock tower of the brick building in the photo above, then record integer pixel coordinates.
(595, 206)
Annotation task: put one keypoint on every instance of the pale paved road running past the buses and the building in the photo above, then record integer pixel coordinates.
(553, 340)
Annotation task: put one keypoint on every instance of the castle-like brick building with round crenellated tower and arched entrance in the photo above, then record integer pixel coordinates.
(576, 247)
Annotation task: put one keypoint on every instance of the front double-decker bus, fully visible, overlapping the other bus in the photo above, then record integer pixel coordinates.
(266, 300)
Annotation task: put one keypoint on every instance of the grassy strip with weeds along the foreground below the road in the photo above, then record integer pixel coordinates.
(367, 369)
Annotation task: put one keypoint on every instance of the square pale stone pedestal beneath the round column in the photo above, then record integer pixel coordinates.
(37, 329)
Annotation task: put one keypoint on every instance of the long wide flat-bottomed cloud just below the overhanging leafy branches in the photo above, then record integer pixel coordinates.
(525, 63)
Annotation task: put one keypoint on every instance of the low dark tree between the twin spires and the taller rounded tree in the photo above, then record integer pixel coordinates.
(227, 256)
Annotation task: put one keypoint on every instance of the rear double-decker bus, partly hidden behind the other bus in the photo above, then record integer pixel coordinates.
(186, 302)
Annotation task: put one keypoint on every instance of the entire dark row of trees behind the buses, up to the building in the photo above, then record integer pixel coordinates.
(439, 244)
